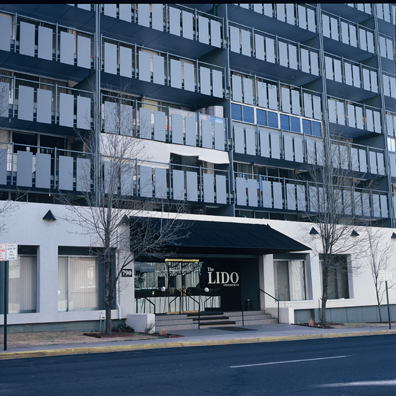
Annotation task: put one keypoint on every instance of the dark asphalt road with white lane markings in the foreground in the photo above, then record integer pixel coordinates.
(344, 366)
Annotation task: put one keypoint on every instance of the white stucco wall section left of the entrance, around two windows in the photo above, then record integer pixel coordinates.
(25, 226)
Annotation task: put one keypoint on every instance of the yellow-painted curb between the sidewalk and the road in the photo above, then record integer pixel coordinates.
(178, 344)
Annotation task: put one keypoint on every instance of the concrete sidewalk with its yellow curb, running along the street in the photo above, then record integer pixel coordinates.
(202, 337)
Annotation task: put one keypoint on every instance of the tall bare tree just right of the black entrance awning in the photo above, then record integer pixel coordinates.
(335, 207)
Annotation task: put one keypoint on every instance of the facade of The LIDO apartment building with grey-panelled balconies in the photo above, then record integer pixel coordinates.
(233, 103)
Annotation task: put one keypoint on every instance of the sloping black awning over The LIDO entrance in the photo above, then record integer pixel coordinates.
(214, 237)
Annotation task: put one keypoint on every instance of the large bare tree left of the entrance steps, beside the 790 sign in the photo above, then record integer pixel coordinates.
(111, 211)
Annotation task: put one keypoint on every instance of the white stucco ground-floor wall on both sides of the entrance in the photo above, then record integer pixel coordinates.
(25, 226)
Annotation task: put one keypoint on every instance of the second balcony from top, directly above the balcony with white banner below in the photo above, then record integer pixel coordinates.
(164, 75)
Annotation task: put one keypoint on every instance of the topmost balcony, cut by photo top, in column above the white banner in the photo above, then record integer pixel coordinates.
(195, 33)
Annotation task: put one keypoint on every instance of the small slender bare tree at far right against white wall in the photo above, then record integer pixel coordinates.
(379, 254)
